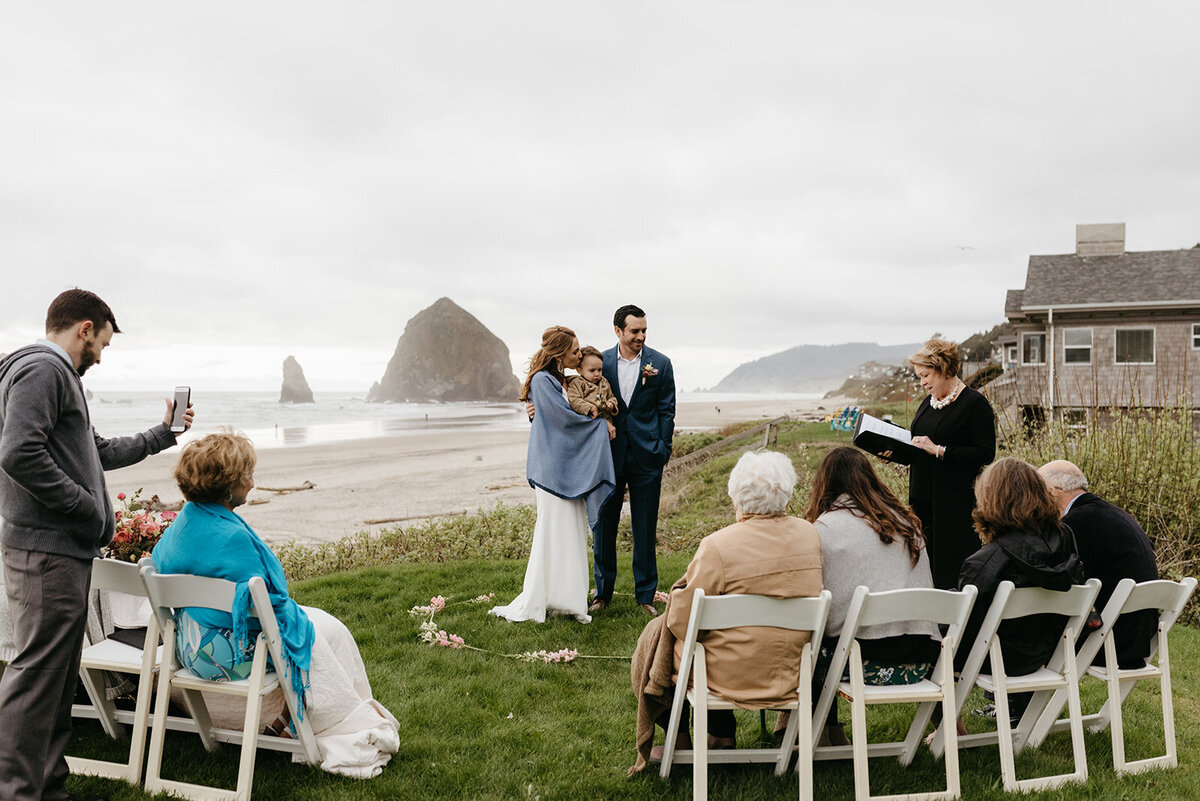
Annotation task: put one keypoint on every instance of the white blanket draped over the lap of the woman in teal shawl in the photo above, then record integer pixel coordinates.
(357, 736)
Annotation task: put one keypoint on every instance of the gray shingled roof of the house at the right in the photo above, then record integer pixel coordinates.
(1131, 279)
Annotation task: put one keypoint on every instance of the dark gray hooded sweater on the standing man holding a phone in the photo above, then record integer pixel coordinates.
(53, 498)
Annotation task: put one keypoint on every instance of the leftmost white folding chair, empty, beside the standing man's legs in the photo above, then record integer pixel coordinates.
(118, 658)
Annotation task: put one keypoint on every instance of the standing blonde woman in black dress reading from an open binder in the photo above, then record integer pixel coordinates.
(957, 430)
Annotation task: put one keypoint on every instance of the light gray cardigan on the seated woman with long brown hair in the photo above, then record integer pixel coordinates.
(855, 555)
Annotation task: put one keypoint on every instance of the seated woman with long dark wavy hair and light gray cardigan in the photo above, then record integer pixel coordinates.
(869, 538)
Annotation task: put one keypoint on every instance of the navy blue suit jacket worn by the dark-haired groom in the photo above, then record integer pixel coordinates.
(646, 427)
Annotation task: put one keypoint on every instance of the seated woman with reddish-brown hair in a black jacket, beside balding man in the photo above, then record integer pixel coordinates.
(1027, 544)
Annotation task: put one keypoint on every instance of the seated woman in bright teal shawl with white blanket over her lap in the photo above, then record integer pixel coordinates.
(356, 734)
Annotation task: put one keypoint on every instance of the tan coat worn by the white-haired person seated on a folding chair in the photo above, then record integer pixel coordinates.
(755, 667)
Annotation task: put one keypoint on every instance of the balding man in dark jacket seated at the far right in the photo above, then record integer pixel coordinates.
(1113, 547)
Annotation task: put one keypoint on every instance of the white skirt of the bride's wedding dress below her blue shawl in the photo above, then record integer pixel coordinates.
(557, 579)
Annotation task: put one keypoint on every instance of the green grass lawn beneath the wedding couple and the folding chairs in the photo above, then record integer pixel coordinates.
(481, 726)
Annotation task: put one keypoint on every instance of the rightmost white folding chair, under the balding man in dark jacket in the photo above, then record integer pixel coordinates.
(1168, 599)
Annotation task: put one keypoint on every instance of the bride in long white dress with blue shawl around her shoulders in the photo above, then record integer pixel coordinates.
(569, 466)
